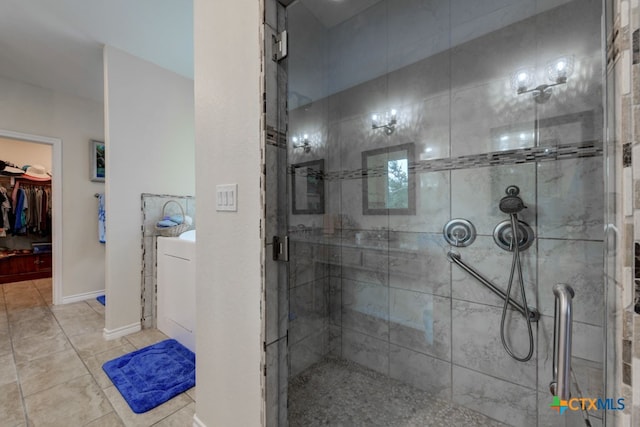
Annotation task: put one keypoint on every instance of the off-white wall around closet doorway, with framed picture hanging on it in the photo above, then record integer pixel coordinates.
(33, 110)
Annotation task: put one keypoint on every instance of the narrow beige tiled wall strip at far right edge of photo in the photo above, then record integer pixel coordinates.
(624, 69)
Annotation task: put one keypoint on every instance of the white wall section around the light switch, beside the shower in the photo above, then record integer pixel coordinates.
(228, 272)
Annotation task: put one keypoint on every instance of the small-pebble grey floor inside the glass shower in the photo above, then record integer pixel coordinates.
(336, 392)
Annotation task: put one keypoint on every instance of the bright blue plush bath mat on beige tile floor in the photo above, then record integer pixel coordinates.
(152, 375)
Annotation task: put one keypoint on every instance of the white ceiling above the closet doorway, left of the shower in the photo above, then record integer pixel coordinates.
(57, 44)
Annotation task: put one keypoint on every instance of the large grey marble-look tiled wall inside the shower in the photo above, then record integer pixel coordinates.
(390, 300)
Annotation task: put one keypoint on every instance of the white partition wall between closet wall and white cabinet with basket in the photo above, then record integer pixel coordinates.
(149, 138)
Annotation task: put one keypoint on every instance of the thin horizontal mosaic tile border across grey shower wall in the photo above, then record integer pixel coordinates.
(496, 158)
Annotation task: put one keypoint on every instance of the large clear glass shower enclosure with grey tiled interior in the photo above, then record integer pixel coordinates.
(387, 119)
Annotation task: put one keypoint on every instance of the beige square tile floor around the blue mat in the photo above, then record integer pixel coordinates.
(51, 365)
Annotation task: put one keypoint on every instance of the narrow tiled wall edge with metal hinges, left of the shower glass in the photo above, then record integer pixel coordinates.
(276, 219)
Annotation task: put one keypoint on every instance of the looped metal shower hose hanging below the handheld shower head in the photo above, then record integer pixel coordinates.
(516, 265)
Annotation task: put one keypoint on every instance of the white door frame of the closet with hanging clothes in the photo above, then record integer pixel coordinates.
(56, 207)
